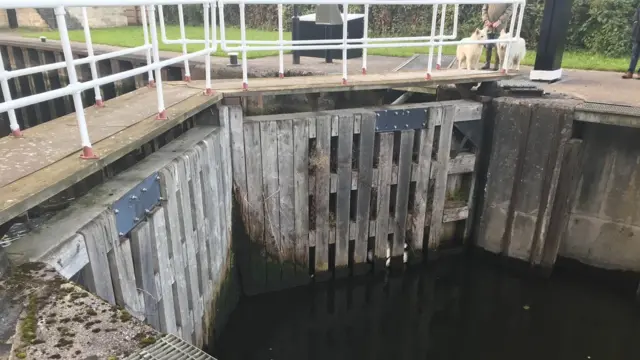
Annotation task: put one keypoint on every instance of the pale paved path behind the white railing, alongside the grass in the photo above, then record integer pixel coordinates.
(594, 86)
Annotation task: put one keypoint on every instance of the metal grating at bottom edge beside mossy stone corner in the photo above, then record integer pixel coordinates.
(170, 347)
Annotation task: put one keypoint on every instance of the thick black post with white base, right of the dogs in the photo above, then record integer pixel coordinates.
(553, 35)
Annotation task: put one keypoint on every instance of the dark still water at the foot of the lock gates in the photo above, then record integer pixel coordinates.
(460, 309)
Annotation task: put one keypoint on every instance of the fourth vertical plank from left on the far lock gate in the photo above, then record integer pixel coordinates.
(301, 198)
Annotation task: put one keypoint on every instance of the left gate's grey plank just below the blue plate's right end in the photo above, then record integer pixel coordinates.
(161, 247)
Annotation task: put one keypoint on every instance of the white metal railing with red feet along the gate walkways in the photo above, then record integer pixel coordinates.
(210, 41)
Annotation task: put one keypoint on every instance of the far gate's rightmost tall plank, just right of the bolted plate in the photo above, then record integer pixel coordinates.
(440, 187)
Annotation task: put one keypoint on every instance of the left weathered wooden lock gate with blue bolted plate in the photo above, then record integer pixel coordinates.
(156, 239)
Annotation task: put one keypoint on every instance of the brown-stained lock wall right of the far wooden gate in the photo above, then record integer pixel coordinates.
(560, 187)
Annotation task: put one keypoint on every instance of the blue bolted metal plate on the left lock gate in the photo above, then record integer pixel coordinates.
(136, 204)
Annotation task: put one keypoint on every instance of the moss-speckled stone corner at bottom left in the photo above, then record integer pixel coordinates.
(52, 318)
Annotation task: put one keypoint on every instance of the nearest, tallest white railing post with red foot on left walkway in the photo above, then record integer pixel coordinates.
(87, 150)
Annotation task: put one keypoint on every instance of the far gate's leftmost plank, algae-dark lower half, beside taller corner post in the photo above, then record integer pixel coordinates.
(253, 210)
